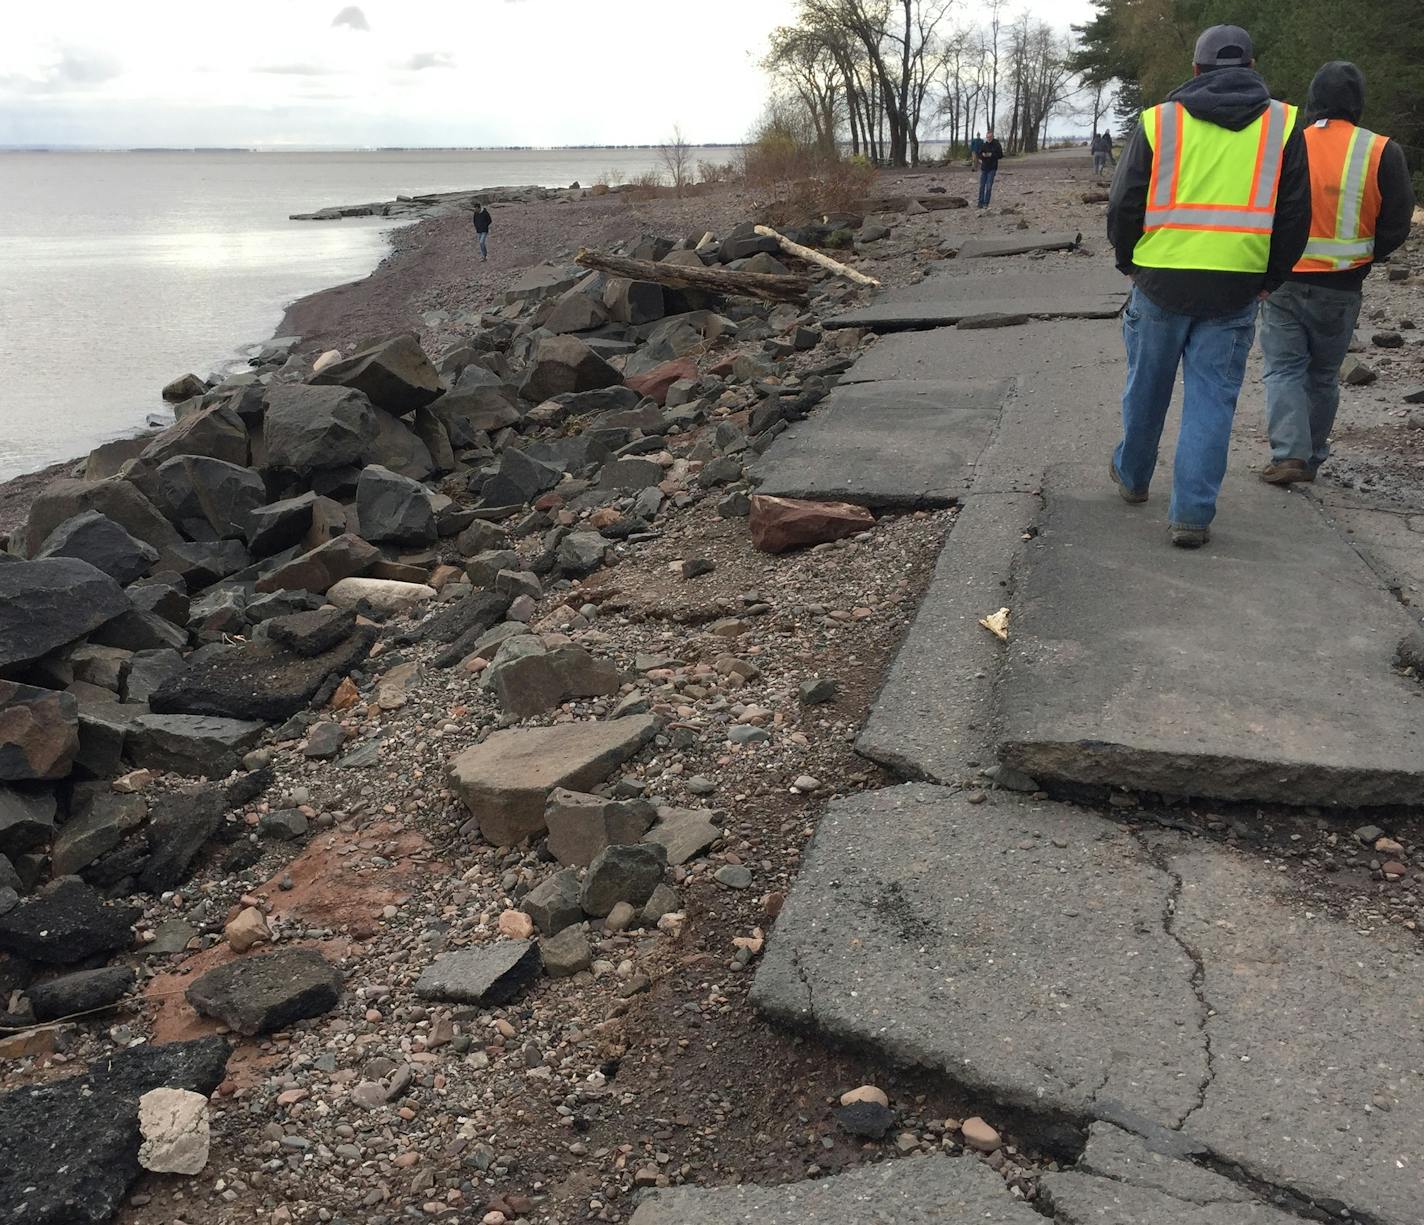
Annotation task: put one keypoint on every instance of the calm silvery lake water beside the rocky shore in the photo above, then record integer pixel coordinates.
(122, 271)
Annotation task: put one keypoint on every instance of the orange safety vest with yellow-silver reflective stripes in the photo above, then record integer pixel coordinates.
(1345, 196)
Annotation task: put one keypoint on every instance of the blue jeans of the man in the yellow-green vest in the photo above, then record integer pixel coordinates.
(1213, 354)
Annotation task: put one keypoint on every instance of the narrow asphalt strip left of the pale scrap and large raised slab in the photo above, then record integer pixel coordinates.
(933, 717)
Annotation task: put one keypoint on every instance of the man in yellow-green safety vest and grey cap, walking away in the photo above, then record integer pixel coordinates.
(1210, 212)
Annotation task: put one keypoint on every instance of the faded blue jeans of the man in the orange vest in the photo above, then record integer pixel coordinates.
(1305, 334)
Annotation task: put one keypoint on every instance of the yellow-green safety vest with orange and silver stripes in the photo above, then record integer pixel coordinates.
(1213, 194)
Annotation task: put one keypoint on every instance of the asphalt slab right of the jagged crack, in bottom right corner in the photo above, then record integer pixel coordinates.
(1318, 1041)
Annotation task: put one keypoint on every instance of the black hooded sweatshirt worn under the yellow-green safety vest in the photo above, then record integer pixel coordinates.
(1231, 99)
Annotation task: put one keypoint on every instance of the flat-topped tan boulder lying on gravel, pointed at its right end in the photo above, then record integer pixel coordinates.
(506, 781)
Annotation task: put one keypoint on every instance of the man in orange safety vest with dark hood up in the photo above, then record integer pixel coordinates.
(1362, 204)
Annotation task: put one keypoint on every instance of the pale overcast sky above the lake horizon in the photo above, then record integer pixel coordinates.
(391, 72)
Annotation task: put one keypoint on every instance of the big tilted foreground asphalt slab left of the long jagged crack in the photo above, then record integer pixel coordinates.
(1010, 947)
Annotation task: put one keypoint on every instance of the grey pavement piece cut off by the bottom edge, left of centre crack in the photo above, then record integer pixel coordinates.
(918, 1192)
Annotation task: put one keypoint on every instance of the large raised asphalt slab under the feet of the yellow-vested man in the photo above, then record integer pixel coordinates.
(1260, 667)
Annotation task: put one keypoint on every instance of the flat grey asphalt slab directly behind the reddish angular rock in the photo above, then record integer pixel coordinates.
(889, 445)
